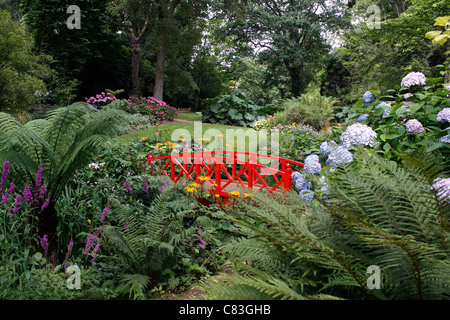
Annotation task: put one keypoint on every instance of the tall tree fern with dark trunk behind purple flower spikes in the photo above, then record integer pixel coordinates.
(63, 142)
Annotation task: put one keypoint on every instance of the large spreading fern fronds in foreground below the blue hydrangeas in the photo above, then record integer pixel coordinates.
(379, 213)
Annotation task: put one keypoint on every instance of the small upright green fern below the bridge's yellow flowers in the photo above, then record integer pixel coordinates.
(147, 241)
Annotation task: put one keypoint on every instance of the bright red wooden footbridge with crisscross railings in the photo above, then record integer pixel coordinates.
(227, 170)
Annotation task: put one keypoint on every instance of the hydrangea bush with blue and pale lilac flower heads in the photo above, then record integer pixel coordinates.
(413, 118)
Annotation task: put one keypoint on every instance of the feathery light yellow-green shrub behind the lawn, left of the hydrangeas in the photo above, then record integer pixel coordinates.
(310, 109)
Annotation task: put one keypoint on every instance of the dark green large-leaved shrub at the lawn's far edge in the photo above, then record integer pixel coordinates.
(232, 109)
